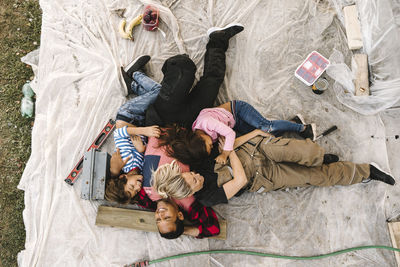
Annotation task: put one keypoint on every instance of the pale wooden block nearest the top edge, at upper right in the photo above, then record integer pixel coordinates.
(353, 27)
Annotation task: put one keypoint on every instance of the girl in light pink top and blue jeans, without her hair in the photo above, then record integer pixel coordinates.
(240, 116)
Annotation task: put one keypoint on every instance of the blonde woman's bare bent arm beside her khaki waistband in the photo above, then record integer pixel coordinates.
(239, 177)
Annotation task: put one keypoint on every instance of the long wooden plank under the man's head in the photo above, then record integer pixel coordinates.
(137, 219)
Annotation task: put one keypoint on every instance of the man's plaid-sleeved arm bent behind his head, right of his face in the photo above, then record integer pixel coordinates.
(205, 220)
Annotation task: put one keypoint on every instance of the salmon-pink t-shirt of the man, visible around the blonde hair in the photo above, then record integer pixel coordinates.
(159, 154)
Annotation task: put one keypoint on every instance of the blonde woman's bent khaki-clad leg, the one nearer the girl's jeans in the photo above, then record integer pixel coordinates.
(302, 152)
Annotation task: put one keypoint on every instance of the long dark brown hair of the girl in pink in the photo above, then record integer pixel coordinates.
(184, 145)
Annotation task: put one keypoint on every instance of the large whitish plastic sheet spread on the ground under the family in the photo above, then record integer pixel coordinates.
(79, 88)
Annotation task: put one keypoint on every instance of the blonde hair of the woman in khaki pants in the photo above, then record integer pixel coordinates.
(168, 181)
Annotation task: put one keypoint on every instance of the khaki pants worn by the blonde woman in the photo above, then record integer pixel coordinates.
(276, 163)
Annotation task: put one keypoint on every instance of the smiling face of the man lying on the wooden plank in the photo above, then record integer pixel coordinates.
(166, 214)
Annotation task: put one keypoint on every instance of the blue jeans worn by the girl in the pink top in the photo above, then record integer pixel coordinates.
(248, 119)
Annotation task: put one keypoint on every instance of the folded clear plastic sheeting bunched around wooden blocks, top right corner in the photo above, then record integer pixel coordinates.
(381, 37)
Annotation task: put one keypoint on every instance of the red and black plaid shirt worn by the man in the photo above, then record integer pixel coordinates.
(204, 218)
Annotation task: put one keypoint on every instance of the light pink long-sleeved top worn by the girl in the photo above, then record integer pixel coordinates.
(217, 122)
